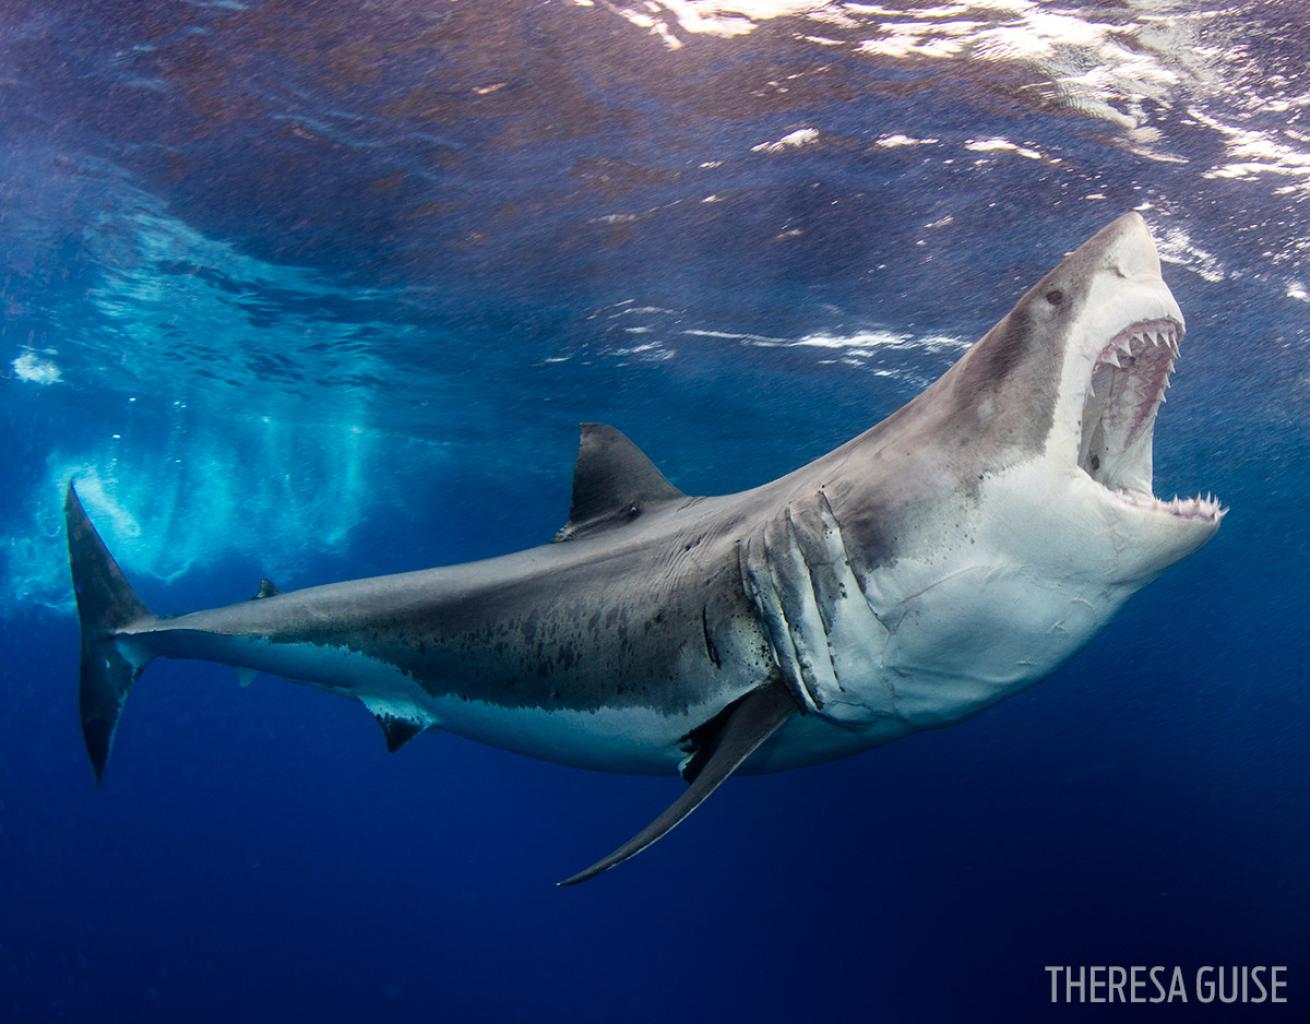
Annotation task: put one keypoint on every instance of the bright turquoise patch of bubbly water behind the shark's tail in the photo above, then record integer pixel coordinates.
(206, 492)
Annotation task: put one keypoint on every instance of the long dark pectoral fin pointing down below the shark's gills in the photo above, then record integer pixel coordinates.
(755, 718)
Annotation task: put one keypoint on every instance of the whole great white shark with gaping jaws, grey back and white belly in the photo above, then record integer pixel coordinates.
(943, 561)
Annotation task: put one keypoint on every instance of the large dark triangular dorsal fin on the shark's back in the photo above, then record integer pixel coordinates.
(614, 483)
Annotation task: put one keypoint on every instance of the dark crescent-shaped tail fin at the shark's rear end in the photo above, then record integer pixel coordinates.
(105, 607)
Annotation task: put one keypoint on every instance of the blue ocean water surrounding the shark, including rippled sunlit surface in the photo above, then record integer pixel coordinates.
(322, 291)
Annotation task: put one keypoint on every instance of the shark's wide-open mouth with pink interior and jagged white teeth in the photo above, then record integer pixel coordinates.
(1127, 388)
